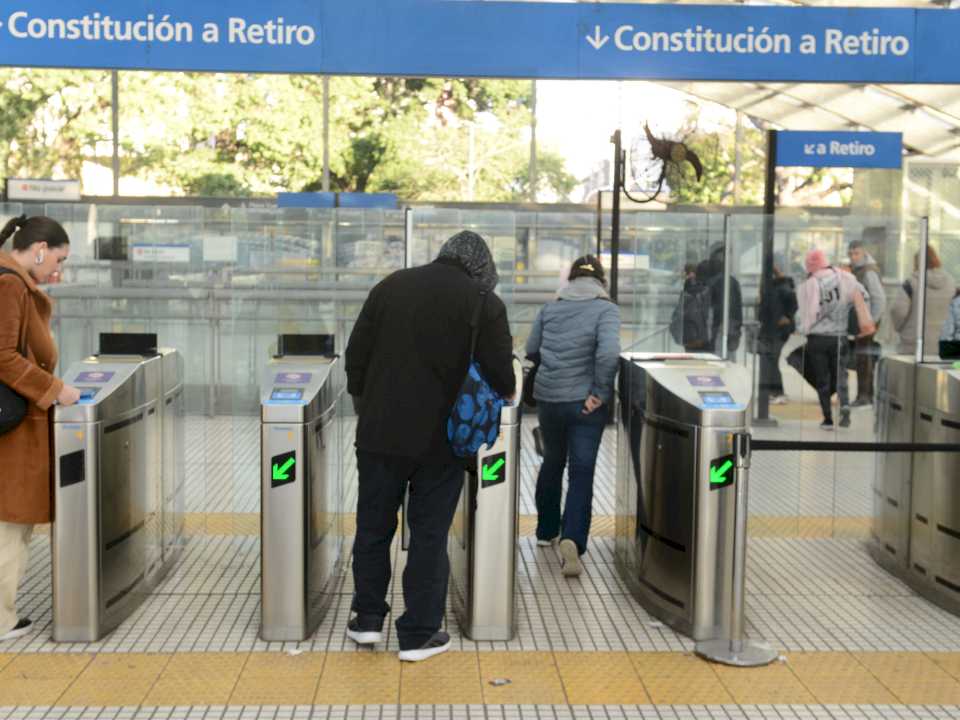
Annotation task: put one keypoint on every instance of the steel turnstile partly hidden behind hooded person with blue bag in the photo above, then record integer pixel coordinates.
(483, 537)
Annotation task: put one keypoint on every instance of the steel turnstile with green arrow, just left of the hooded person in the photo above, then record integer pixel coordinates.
(301, 494)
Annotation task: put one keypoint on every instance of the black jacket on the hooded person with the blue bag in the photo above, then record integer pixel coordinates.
(408, 356)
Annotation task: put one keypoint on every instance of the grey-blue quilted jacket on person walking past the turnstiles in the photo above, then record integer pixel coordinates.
(578, 338)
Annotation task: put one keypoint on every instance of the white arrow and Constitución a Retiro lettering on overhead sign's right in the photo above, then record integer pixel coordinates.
(759, 41)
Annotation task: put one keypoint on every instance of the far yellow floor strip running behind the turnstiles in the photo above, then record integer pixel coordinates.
(248, 524)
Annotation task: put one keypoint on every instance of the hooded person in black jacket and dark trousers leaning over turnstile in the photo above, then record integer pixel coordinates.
(406, 359)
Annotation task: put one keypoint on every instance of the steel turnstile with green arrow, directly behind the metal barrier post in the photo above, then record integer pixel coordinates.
(675, 517)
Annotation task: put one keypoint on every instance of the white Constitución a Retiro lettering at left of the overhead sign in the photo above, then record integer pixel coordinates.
(158, 29)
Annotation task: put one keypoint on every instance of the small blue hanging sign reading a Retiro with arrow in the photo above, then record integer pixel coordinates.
(840, 149)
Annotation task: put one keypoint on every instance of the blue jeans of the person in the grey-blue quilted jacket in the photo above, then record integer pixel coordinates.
(568, 434)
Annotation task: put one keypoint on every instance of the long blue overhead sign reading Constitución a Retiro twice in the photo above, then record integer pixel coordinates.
(477, 38)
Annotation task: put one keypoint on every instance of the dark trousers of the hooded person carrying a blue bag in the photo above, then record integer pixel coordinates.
(434, 492)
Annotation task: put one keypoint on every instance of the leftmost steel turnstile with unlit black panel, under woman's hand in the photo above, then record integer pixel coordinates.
(118, 490)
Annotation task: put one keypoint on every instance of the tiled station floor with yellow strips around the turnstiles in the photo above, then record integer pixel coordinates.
(857, 643)
